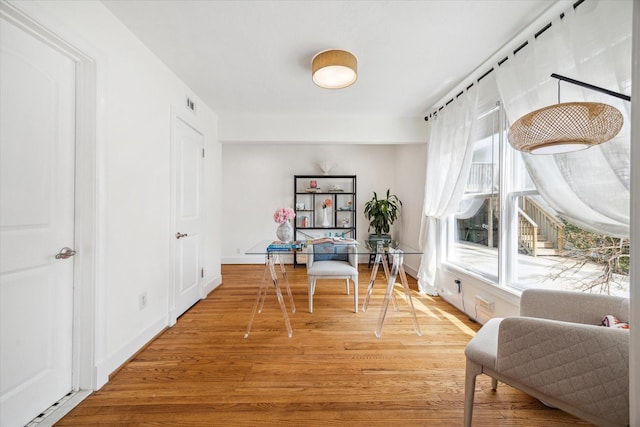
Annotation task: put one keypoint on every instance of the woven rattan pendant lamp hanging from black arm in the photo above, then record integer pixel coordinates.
(566, 127)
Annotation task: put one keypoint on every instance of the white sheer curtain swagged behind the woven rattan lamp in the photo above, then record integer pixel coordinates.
(590, 188)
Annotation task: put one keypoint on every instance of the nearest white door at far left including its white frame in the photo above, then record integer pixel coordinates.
(47, 252)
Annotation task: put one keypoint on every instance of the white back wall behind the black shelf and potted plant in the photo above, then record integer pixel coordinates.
(258, 178)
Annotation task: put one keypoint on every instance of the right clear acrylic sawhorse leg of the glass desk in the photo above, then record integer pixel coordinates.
(396, 269)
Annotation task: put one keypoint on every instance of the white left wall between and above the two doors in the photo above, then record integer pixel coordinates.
(136, 94)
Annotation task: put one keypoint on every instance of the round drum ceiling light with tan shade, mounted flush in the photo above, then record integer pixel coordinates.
(334, 69)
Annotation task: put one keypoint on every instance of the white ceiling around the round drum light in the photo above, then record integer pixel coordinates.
(253, 57)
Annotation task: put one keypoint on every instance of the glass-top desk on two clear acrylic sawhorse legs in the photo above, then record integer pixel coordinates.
(389, 253)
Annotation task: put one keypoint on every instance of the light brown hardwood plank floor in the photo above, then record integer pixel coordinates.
(333, 371)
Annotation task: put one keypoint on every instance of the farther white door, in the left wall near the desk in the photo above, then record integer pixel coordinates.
(187, 171)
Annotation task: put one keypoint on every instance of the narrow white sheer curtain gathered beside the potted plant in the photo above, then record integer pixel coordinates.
(449, 153)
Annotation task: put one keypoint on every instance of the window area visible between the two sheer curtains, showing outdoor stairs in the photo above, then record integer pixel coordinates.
(505, 232)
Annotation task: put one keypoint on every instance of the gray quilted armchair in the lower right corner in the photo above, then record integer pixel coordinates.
(556, 351)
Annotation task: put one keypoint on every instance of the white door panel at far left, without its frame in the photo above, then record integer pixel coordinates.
(37, 146)
